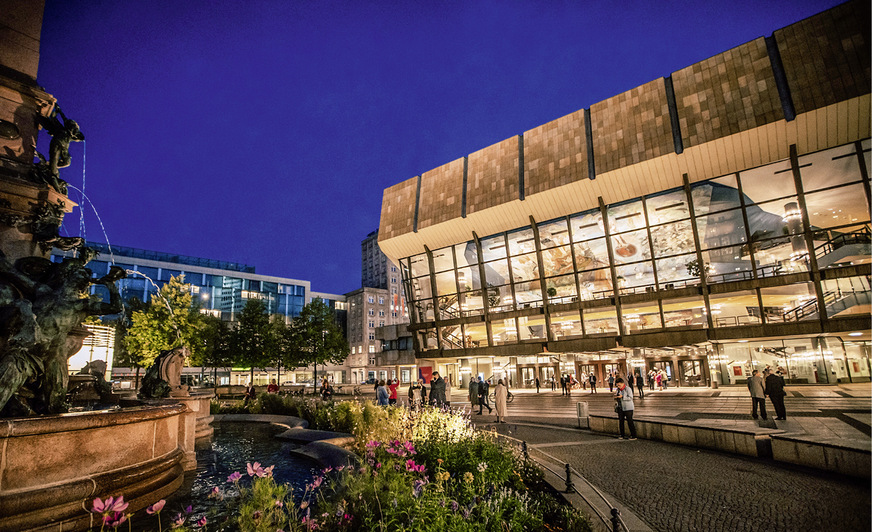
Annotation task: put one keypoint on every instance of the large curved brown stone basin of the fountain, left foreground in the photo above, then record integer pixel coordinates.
(52, 467)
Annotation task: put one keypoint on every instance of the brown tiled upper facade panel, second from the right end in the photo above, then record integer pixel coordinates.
(725, 94)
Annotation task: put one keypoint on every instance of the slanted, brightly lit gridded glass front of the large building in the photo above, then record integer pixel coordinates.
(625, 269)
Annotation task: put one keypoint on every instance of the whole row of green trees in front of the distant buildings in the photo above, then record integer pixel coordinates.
(257, 340)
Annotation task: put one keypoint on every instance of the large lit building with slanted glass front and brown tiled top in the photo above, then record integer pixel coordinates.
(706, 224)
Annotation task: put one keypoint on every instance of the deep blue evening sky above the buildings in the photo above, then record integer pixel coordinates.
(264, 132)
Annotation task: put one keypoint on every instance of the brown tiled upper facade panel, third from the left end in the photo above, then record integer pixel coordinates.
(492, 176)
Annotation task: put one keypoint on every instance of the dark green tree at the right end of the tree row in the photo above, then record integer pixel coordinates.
(315, 338)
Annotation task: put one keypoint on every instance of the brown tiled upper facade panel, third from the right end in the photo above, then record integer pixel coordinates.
(631, 127)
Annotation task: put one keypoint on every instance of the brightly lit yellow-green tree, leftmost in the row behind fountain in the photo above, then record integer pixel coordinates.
(169, 320)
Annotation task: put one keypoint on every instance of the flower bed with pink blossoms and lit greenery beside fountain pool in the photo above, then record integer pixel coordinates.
(424, 471)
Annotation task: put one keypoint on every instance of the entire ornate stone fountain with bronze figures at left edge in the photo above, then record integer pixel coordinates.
(53, 463)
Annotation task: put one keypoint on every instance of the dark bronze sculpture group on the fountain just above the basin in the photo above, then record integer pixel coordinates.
(42, 302)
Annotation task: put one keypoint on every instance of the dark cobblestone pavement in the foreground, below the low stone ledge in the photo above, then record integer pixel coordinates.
(676, 488)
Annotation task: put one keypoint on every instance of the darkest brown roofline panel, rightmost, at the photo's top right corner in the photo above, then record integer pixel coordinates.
(826, 57)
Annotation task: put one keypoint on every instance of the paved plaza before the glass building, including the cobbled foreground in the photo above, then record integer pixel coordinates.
(661, 486)
